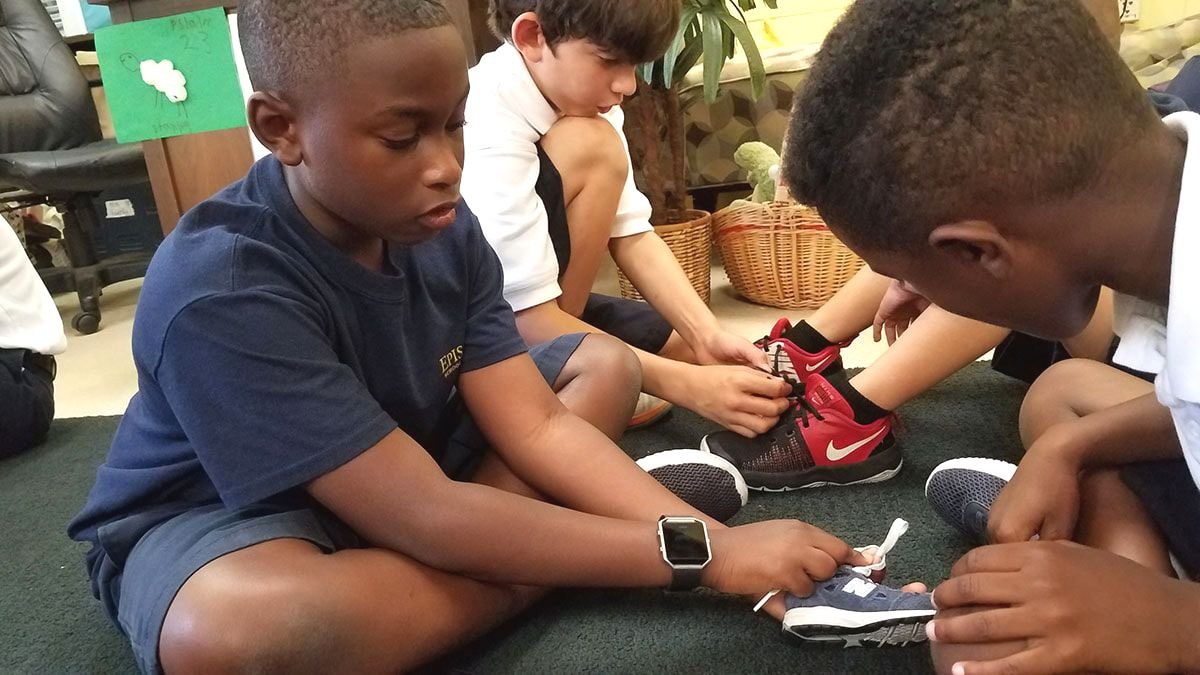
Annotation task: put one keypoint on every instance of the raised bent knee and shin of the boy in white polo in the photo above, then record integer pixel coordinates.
(590, 157)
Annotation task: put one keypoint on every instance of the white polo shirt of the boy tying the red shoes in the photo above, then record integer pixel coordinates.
(507, 116)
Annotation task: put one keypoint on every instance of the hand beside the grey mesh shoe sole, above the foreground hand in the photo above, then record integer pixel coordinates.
(1042, 499)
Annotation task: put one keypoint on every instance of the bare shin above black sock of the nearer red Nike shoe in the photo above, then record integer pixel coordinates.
(938, 345)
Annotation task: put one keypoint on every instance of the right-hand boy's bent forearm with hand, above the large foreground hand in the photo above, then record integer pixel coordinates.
(1043, 498)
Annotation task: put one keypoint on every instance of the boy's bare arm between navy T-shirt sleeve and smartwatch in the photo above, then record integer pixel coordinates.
(398, 498)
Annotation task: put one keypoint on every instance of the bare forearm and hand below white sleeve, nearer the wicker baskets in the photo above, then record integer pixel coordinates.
(649, 262)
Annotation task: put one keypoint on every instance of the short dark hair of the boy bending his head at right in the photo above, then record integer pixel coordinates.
(923, 112)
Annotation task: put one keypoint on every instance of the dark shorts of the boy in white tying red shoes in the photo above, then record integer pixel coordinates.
(635, 324)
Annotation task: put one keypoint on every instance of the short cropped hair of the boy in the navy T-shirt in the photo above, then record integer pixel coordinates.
(289, 44)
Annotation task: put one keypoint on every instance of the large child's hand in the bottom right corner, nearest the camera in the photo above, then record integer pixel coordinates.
(1067, 608)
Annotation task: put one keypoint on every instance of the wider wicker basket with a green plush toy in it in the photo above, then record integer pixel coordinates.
(782, 254)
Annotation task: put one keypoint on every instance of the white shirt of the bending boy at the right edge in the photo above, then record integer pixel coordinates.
(1167, 341)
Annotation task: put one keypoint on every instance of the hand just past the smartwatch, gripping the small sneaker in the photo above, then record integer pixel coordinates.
(752, 560)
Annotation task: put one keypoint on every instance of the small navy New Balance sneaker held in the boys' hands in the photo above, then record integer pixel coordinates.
(851, 611)
